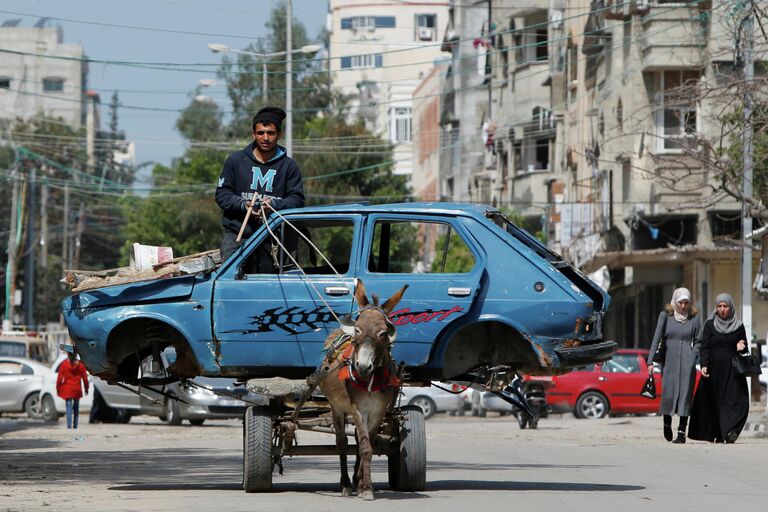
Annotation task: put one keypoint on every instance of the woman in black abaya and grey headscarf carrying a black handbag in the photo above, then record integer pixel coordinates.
(721, 404)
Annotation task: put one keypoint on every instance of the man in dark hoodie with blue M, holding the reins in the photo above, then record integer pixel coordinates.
(260, 173)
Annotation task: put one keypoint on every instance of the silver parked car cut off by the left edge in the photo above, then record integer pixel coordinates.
(20, 382)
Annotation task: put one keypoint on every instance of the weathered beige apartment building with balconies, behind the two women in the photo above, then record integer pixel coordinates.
(599, 121)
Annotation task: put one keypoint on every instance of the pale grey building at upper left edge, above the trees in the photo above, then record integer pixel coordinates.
(39, 73)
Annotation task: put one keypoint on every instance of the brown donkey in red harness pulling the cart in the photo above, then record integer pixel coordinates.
(362, 382)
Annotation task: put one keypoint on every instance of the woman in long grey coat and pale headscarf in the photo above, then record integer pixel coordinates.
(680, 327)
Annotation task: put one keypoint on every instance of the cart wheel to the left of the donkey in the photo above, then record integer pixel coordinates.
(257, 450)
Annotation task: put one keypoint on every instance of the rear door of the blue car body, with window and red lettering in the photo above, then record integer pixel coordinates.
(441, 263)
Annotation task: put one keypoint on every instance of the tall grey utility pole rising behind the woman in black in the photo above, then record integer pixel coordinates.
(746, 182)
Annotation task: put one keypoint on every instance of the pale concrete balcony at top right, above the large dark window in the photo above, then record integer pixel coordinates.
(672, 36)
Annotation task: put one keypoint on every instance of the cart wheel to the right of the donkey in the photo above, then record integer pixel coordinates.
(407, 459)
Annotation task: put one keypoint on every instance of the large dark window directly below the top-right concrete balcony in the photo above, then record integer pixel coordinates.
(675, 107)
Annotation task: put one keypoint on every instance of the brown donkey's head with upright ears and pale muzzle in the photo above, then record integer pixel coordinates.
(373, 334)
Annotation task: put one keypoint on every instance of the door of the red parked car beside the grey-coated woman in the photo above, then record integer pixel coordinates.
(621, 379)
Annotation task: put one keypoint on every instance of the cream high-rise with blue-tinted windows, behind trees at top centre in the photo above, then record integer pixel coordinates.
(380, 50)
